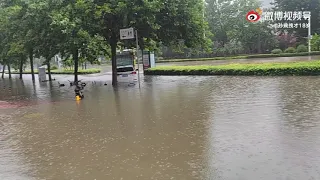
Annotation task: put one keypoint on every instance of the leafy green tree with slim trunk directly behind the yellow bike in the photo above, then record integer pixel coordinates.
(73, 22)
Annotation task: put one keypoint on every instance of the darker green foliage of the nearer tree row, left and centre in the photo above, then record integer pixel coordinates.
(83, 30)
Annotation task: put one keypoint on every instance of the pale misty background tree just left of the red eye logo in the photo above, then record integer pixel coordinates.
(232, 33)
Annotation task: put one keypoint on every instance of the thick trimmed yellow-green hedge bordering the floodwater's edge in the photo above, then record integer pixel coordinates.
(308, 68)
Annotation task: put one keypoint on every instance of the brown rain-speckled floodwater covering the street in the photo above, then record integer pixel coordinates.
(184, 128)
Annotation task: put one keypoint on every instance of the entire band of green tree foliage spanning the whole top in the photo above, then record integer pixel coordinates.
(83, 30)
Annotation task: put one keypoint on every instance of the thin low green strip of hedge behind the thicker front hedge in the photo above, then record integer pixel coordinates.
(242, 57)
